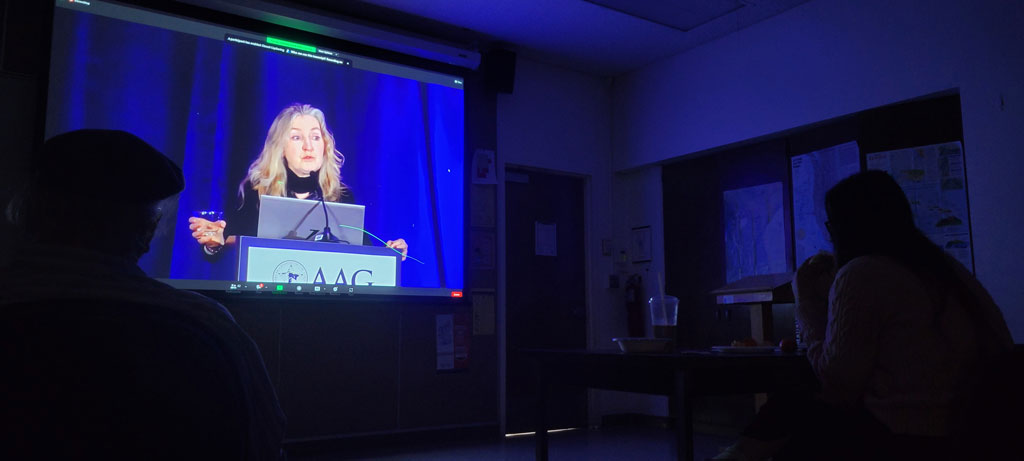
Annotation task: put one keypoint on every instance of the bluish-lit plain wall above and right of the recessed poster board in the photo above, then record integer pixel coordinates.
(832, 58)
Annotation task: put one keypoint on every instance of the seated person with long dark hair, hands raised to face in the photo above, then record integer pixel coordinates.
(895, 330)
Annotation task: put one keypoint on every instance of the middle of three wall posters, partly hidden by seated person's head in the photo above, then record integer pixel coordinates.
(814, 175)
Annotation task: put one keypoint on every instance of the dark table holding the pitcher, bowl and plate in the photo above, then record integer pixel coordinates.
(679, 375)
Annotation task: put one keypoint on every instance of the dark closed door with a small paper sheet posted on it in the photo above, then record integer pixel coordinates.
(546, 290)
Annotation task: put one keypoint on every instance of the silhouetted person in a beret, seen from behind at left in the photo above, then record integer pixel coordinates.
(103, 362)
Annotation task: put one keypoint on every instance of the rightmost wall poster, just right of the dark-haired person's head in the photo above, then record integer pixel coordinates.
(934, 182)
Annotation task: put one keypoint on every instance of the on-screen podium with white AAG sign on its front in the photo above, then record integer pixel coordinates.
(300, 262)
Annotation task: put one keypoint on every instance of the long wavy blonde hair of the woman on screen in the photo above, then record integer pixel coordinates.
(268, 174)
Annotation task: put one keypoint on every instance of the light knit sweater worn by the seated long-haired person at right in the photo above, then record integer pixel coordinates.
(883, 347)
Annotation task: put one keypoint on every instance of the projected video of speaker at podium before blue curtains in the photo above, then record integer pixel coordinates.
(277, 144)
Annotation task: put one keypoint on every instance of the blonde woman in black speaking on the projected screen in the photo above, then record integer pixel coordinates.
(300, 160)
